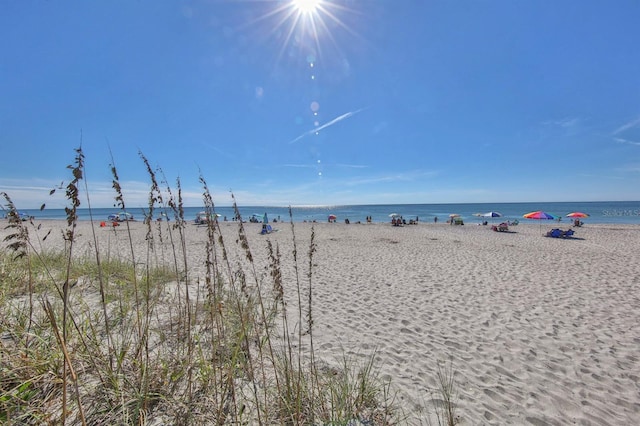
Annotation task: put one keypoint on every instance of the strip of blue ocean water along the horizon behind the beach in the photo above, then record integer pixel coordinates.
(614, 212)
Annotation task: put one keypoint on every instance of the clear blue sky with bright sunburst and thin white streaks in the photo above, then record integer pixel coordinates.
(354, 102)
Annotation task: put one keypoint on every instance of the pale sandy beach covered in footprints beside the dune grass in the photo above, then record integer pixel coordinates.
(541, 331)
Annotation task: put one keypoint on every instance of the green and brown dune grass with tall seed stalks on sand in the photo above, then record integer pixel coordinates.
(94, 338)
